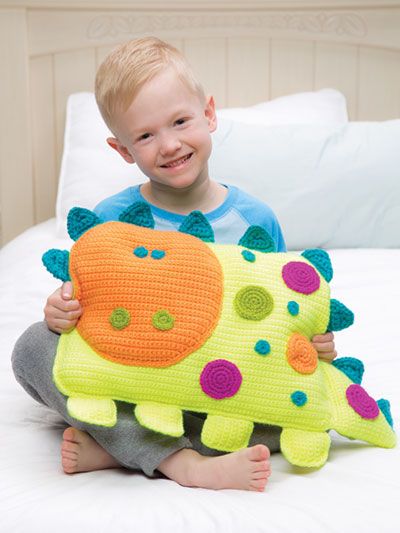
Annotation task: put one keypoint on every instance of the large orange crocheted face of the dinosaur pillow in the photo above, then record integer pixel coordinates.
(187, 281)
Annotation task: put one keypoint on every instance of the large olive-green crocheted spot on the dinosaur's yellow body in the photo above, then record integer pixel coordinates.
(253, 302)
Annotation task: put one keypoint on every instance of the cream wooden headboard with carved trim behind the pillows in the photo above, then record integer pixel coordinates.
(243, 51)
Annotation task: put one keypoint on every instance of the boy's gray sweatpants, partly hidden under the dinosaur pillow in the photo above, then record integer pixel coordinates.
(132, 445)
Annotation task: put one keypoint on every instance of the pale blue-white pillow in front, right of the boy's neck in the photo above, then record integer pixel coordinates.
(331, 186)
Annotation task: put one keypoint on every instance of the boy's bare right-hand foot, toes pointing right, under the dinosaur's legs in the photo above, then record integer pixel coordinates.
(247, 469)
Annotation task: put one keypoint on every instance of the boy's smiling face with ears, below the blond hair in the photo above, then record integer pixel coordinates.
(166, 132)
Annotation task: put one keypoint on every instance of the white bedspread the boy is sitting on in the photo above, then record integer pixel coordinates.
(358, 488)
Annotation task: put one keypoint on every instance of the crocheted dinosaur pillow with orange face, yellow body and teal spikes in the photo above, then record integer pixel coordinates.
(172, 321)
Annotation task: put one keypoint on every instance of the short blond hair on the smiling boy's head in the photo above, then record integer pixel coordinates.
(129, 66)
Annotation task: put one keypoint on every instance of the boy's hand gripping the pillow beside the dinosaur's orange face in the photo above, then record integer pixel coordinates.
(61, 312)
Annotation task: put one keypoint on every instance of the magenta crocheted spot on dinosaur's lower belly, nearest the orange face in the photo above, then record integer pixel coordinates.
(220, 379)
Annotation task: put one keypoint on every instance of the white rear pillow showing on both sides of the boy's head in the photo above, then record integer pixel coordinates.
(91, 170)
